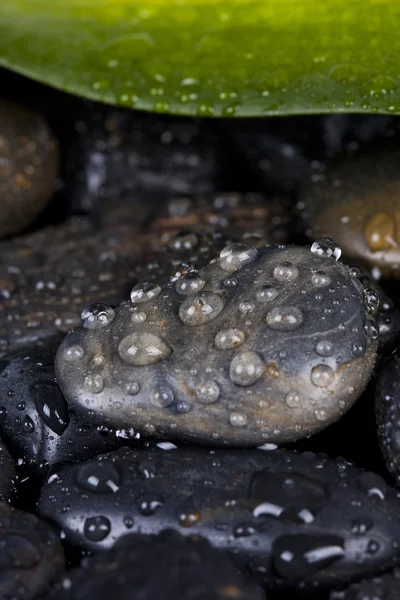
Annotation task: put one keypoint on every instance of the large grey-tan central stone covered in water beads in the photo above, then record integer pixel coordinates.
(277, 344)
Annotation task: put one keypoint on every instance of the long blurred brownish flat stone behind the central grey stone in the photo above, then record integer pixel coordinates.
(48, 277)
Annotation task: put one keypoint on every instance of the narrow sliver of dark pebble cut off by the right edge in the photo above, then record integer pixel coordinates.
(387, 405)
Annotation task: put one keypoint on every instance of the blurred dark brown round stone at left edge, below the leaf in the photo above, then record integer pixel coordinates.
(28, 166)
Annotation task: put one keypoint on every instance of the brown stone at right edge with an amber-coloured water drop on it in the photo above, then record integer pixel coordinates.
(355, 199)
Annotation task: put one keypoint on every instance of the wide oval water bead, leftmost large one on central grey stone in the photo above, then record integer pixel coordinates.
(142, 349)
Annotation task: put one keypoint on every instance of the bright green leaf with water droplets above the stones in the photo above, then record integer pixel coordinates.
(211, 57)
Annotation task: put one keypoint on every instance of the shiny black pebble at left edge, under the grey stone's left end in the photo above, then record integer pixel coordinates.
(35, 419)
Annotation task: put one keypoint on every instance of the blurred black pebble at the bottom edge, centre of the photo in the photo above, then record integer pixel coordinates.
(167, 567)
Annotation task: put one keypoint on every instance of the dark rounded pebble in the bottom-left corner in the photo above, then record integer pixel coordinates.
(31, 556)
